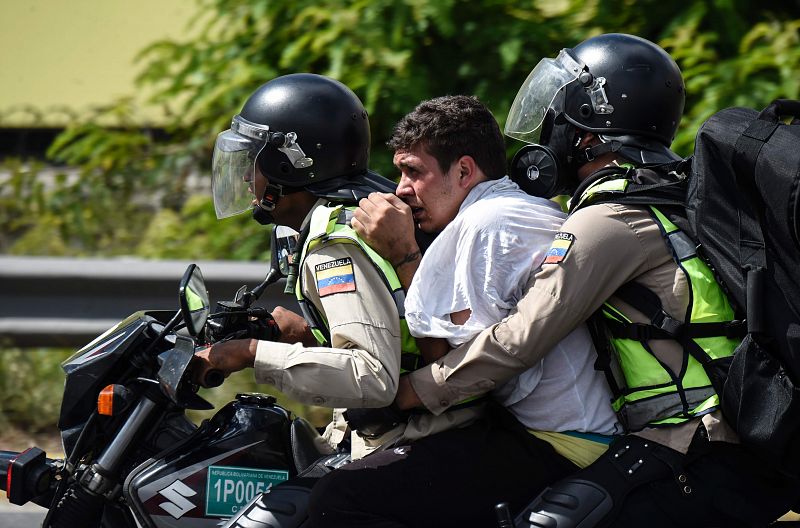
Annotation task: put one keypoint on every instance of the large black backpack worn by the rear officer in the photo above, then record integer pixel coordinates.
(743, 206)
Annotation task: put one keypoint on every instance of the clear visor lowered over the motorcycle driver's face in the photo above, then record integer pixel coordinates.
(233, 171)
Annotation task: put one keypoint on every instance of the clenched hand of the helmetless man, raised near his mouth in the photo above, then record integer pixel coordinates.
(385, 222)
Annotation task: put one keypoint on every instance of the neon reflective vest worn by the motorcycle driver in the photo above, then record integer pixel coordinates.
(331, 225)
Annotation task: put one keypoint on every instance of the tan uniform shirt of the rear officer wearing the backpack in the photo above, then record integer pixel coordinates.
(612, 244)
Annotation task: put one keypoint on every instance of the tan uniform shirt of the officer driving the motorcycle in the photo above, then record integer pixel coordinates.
(362, 366)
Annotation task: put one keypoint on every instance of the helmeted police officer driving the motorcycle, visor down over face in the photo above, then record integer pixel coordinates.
(297, 155)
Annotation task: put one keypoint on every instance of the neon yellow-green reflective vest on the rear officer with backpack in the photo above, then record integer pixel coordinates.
(651, 394)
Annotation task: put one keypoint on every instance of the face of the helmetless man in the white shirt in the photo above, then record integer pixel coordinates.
(434, 196)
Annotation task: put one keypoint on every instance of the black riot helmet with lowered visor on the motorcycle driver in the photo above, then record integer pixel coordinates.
(303, 131)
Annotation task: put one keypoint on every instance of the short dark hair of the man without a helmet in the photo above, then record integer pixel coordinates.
(450, 127)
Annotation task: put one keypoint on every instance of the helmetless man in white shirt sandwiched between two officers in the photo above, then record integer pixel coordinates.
(491, 237)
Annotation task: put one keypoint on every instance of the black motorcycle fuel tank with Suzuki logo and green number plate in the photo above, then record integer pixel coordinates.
(240, 452)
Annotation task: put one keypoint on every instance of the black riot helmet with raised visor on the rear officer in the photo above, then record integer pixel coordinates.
(626, 90)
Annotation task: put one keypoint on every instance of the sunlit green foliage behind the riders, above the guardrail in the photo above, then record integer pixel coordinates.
(130, 186)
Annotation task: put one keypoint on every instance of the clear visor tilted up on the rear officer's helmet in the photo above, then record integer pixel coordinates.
(538, 93)
